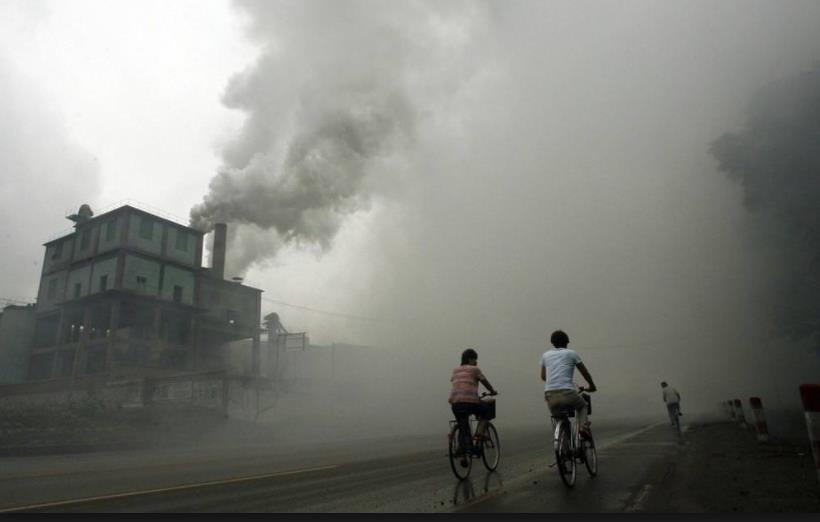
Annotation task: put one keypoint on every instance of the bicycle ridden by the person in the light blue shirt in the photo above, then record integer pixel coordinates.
(570, 447)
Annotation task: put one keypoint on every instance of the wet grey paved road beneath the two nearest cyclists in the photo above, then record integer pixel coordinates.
(406, 475)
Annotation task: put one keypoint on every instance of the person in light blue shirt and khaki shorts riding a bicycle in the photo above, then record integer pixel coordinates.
(557, 366)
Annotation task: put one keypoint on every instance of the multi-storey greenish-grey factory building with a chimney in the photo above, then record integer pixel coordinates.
(125, 294)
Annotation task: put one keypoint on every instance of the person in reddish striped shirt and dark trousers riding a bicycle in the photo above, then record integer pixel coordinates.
(464, 397)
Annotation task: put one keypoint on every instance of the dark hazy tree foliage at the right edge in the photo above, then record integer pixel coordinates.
(776, 159)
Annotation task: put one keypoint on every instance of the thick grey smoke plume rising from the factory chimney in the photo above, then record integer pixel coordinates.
(331, 103)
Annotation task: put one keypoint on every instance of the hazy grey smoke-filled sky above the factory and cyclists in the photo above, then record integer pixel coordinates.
(468, 173)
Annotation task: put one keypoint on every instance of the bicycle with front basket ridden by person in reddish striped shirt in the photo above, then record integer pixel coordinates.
(488, 450)
